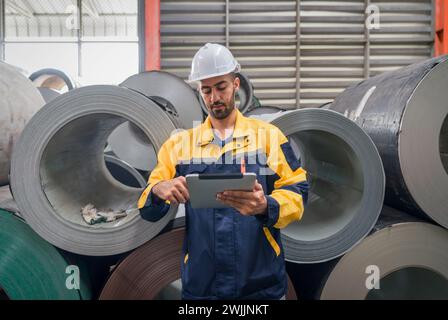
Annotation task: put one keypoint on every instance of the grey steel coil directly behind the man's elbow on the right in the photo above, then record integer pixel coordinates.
(346, 180)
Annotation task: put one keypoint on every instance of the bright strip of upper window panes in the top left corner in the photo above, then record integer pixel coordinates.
(48, 18)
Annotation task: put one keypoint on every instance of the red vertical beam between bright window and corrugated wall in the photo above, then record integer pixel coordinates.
(152, 35)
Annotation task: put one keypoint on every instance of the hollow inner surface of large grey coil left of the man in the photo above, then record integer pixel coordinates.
(73, 171)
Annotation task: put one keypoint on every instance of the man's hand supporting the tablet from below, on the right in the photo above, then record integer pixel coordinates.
(248, 203)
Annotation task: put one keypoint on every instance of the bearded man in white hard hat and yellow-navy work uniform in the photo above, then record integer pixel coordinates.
(234, 252)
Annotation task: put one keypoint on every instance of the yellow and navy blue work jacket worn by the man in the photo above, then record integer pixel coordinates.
(228, 255)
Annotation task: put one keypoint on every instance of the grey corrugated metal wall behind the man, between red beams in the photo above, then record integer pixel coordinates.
(334, 48)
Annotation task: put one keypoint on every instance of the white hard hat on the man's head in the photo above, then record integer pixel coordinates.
(212, 60)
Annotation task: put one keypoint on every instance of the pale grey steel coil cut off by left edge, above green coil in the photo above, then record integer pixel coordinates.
(19, 101)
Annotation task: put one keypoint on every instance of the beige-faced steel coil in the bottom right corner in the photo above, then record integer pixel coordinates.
(403, 258)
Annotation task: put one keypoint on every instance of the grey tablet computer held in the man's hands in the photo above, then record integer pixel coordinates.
(204, 187)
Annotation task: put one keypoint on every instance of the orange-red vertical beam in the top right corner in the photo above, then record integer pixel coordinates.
(441, 27)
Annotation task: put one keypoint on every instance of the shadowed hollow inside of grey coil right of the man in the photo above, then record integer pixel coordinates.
(336, 185)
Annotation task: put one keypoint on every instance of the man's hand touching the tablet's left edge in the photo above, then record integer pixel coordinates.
(174, 190)
